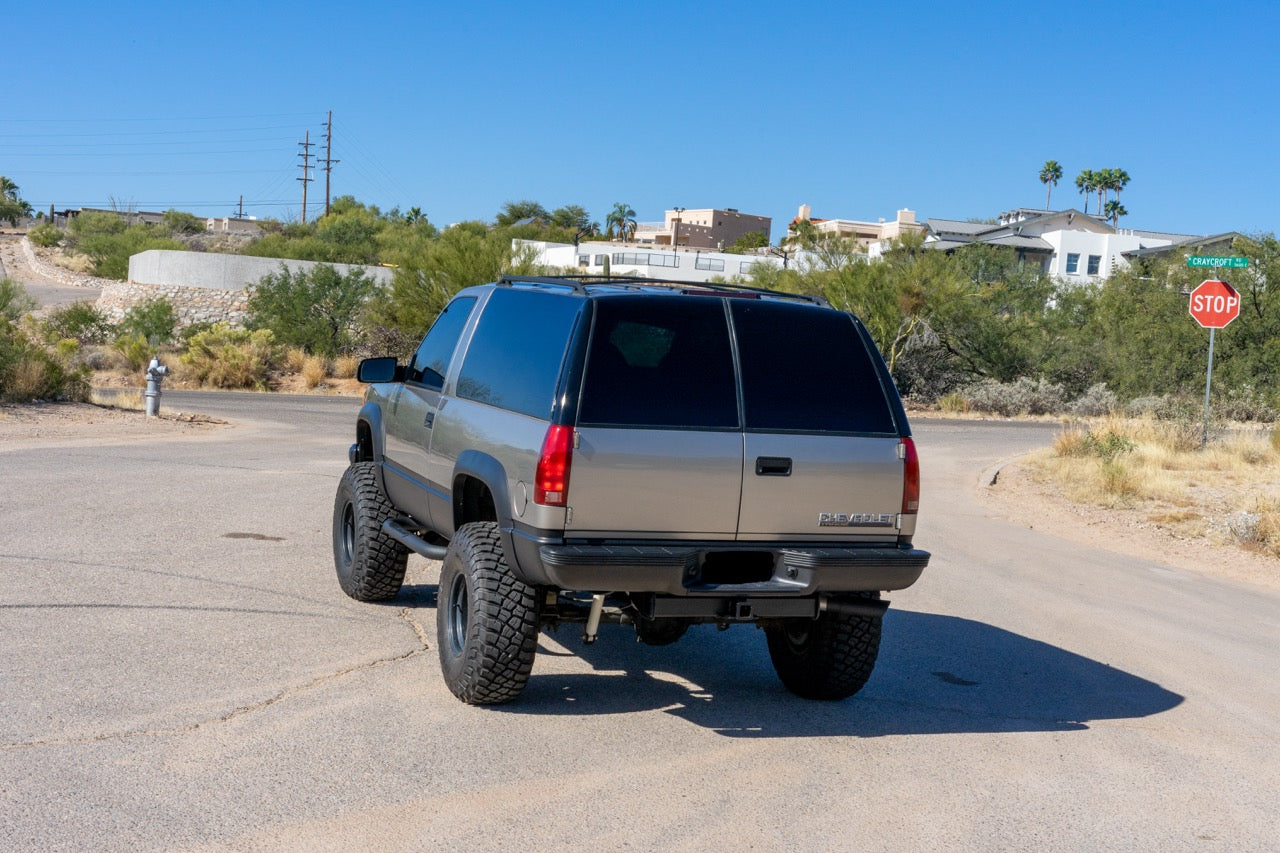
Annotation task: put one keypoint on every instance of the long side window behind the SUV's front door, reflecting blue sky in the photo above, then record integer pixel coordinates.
(516, 353)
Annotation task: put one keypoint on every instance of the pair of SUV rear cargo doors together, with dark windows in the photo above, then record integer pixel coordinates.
(797, 441)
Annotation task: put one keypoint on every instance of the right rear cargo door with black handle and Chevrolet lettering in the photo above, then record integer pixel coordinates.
(822, 459)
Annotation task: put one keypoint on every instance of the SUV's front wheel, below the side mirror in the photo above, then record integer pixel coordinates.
(371, 564)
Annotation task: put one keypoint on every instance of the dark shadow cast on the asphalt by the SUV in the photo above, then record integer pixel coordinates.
(936, 676)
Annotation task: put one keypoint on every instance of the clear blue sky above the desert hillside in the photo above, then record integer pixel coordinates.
(857, 110)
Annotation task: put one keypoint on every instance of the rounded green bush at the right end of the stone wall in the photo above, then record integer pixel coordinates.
(314, 309)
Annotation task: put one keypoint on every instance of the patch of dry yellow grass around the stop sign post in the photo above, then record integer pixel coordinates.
(1231, 490)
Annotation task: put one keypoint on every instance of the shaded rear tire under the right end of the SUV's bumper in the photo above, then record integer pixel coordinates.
(829, 658)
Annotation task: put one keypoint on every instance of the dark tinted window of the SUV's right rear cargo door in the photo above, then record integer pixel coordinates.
(807, 370)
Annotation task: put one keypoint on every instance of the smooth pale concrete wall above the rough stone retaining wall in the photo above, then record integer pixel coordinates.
(163, 267)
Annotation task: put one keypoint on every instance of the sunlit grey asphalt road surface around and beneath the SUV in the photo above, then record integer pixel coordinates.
(180, 670)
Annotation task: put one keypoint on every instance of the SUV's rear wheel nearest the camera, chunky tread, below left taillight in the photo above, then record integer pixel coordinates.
(487, 619)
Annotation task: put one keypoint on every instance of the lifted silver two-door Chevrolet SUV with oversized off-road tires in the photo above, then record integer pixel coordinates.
(637, 453)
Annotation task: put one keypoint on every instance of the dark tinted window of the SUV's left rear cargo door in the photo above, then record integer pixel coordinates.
(661, 362)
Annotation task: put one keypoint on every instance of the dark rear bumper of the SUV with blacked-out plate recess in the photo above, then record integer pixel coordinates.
(678, 569)
